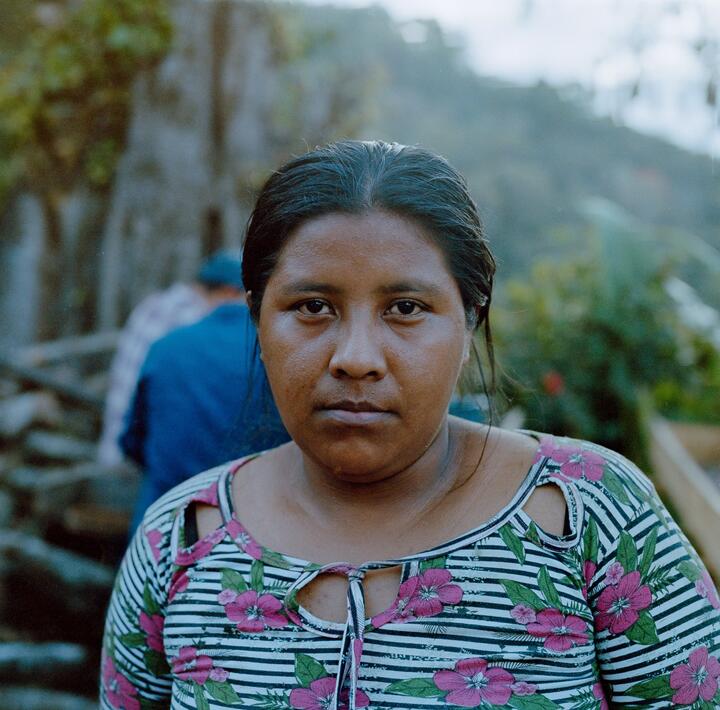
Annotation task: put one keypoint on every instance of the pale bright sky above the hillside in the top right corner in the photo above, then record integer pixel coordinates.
(613, 47)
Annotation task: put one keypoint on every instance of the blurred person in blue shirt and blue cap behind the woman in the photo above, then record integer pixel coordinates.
(202, 396)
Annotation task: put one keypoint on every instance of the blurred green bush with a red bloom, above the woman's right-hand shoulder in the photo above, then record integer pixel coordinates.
(593, 337)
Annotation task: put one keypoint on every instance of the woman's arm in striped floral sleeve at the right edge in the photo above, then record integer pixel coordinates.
(657, 612)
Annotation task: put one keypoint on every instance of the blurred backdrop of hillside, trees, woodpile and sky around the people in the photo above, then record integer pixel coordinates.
(134, 136)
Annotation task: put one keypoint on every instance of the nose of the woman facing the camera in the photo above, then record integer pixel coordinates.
(359, 352)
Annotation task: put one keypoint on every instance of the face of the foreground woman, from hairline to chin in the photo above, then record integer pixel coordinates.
(363, 335)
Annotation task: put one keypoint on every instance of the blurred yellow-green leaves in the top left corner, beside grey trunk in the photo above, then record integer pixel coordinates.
(64, 97)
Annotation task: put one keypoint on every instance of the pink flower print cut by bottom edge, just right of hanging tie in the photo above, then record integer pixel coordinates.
(472, 683)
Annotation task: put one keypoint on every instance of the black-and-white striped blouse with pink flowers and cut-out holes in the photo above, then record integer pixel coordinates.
(618, 611)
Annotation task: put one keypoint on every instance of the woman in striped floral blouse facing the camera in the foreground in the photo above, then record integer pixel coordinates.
(391, 556)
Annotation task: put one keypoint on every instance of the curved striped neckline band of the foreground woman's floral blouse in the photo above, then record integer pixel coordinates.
(509, 511)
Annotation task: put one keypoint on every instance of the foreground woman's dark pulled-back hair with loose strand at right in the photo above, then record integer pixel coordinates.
(353, 177)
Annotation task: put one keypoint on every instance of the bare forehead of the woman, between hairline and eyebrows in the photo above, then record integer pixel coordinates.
(374, 243)
